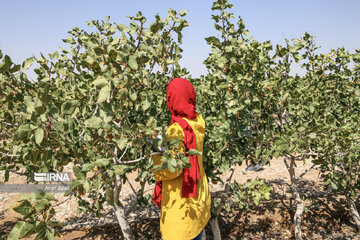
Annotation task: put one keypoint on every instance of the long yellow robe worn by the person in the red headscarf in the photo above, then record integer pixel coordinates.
(183, 218)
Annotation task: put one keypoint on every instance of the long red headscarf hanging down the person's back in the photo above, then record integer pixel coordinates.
(181, 101)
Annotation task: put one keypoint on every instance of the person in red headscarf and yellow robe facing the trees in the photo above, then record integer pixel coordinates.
(183, 197)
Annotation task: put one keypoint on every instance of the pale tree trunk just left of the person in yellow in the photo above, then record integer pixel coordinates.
(120, 212)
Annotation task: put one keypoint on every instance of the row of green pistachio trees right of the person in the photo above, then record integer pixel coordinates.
(257, 109)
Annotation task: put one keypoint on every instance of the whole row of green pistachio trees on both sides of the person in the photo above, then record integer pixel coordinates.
(98, 102)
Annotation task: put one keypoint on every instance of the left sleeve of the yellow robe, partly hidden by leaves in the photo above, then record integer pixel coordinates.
(174, 131)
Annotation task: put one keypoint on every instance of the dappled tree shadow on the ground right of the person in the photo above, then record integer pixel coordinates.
(326, 216)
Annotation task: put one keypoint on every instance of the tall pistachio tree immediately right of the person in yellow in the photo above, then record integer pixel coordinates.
(237, 106)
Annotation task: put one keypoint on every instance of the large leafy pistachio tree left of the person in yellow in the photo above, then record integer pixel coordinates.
(95, 103)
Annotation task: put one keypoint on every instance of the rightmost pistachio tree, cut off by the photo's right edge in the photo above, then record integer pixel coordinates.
(335, 135)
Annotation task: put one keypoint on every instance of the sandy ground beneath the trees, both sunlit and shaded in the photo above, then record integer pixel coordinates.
(325, 217)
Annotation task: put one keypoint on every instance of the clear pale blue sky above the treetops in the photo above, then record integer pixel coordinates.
(30, 27)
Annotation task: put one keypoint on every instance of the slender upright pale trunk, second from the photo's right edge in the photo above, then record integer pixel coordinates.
(295, 192)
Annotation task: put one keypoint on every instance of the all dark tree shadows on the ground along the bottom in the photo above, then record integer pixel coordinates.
(326, 217)
